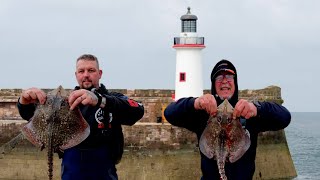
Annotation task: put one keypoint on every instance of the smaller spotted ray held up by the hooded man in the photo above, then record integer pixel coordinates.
(224, 139)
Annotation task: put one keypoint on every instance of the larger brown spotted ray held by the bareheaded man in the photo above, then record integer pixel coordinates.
(54, 126)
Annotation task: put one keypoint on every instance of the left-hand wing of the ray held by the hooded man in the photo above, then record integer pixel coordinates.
(209, 138)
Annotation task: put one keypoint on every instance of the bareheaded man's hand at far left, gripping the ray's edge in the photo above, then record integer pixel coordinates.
(32, 95)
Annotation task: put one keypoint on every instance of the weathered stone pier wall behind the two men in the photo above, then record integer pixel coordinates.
(151, 134)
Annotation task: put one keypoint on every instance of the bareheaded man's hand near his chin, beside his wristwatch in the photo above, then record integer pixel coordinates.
(82, 96)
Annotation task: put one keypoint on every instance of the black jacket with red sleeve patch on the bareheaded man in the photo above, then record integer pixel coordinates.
(120, 108)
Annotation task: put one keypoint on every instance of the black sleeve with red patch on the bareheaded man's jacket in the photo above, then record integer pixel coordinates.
(125, 111)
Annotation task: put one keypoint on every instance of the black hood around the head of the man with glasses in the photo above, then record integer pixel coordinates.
(224, 65)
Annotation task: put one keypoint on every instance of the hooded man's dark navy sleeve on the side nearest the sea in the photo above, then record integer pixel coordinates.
(272, 117)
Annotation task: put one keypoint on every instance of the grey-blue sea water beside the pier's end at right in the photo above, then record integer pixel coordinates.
(303, 137)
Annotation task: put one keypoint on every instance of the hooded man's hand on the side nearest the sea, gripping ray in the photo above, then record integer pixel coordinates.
(245, 109)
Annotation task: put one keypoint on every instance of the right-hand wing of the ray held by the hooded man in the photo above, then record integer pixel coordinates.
(239, 141)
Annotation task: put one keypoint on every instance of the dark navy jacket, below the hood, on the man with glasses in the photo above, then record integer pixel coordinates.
(271, 116)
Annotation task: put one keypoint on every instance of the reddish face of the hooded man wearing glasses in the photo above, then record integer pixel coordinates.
(224, 84)
